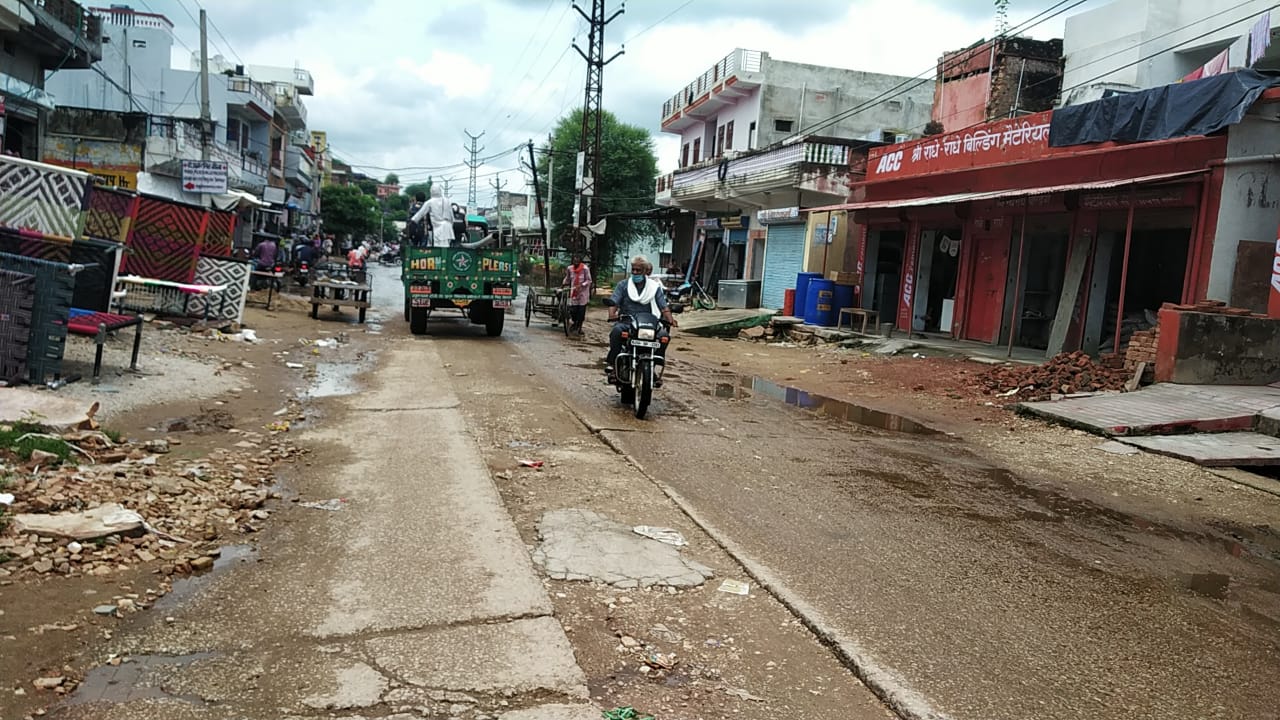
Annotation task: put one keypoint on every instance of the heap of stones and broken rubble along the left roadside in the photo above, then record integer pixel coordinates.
(127, 505)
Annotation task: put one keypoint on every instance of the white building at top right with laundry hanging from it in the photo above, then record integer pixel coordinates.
(1132, 45)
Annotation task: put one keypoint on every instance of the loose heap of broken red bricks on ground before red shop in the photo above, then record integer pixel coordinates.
(1062, 375)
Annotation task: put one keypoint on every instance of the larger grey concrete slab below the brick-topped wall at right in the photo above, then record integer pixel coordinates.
(1163, 409)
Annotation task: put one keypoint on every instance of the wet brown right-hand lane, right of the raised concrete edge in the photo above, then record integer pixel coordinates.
(966, 589)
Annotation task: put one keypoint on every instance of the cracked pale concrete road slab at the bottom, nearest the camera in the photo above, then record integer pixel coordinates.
(523, 657)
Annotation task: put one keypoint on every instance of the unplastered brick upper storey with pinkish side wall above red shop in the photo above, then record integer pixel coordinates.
(996, 79)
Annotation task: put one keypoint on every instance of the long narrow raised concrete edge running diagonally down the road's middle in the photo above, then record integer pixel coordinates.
(892, 689)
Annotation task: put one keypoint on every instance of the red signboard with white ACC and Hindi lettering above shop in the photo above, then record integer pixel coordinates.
(991, 144)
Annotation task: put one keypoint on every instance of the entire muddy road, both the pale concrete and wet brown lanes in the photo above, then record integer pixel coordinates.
(890, 572)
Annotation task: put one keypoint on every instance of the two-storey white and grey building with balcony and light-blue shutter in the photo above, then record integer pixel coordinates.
(760, 134)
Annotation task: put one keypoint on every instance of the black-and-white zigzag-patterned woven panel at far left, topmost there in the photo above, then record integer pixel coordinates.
(43, 199)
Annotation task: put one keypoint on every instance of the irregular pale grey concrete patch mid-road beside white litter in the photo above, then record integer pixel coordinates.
(580, 545)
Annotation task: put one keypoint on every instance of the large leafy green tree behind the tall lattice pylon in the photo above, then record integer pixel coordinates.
(629, 168)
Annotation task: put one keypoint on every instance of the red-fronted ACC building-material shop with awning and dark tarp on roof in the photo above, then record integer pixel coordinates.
(1028, 233)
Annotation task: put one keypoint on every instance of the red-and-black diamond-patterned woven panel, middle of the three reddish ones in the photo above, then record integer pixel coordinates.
(166, 240)
